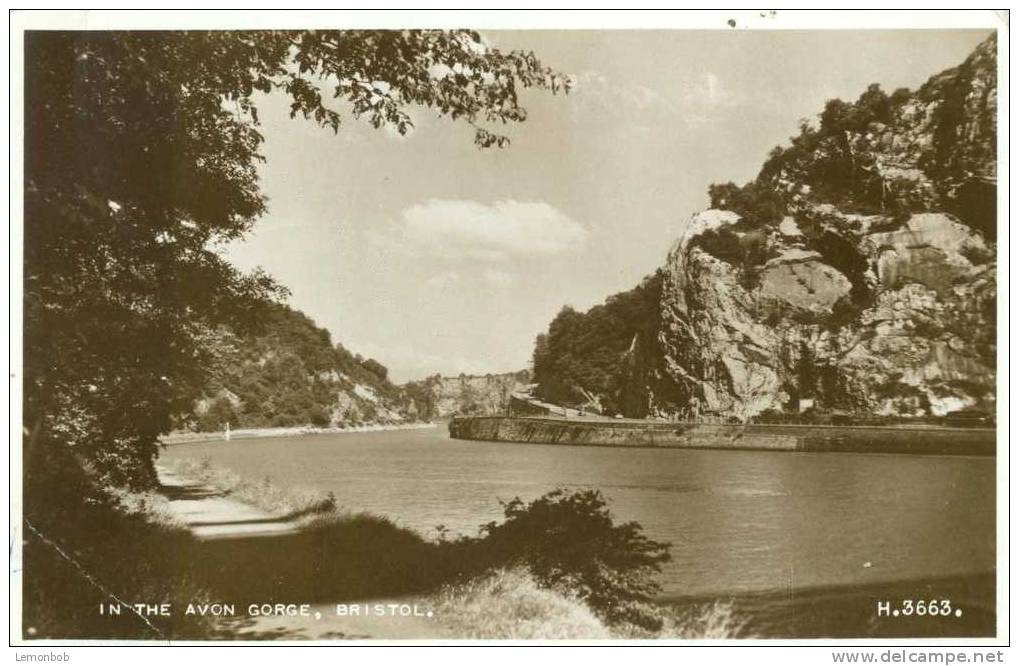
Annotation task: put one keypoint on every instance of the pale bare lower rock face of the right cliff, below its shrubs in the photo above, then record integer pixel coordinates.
(923, 343)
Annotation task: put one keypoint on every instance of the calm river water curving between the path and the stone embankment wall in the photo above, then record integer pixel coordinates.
(742, 524)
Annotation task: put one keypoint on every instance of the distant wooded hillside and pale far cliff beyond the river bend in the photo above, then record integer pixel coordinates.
(292, 374)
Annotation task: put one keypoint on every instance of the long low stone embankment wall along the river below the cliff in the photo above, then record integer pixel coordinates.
(869, 439)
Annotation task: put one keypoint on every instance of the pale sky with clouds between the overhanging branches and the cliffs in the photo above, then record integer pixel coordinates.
(433, 256)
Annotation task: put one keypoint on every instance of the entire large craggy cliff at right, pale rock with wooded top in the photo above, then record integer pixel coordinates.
(856, 273)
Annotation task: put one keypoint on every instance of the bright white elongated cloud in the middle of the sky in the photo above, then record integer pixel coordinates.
(500, 232)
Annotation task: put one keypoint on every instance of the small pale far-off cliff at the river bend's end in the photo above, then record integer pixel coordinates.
(467, 395)
